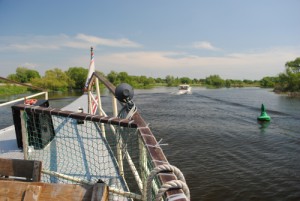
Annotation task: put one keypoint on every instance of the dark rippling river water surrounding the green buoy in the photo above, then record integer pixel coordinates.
(214, 138)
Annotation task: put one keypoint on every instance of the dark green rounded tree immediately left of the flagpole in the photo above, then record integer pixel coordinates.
(78, 75)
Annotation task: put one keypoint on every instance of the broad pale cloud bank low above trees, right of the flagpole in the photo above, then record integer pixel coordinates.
(251, 65)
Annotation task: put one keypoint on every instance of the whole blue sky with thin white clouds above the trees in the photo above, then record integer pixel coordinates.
(195, 38)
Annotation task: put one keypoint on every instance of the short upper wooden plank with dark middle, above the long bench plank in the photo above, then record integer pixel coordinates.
(29, 169)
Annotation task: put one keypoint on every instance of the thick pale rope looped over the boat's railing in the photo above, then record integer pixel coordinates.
(180, 183)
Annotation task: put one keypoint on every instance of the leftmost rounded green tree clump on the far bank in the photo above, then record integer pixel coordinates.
(24, 75)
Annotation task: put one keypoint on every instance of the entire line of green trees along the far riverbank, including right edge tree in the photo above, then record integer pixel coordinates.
(75, 77)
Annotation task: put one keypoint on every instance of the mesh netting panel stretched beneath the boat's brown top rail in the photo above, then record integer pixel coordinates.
(83, 151)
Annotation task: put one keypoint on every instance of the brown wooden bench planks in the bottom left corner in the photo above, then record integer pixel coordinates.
(20, 181)
